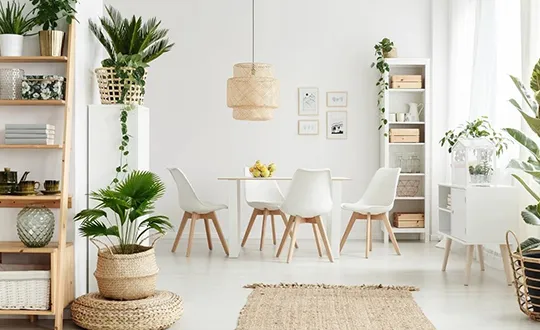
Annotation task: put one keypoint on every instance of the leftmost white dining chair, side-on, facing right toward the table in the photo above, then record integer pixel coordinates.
(195, 209)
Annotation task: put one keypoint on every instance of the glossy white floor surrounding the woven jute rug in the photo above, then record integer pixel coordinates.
(211, 285)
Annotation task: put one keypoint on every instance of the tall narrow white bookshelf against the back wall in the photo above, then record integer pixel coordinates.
(396, 101)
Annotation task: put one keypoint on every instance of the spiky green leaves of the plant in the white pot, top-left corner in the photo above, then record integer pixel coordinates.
(13, 21)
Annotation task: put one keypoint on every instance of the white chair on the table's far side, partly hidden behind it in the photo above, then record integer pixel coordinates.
(265, 197)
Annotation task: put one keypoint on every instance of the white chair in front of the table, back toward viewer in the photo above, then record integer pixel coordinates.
(309, 197)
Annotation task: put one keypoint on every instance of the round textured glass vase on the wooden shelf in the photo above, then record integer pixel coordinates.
(35, 225)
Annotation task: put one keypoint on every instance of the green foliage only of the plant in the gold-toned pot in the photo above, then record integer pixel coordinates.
(49, 12)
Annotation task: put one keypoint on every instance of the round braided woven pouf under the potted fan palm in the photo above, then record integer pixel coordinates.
(159, 311)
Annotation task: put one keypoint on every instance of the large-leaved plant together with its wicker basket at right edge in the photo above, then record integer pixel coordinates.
(528, 255)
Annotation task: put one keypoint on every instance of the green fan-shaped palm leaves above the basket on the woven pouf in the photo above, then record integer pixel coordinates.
(123, 214)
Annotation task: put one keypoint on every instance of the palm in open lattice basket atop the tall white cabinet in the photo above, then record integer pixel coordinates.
(131, 45)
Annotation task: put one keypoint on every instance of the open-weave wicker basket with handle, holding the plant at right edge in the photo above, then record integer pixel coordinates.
(527, 286)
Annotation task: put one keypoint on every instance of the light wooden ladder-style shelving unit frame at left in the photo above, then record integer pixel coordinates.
(61, 252)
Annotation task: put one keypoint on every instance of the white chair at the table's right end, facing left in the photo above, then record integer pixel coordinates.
(374, 204)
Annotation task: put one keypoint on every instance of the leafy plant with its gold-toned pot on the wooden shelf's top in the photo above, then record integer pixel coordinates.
(48, 13)
